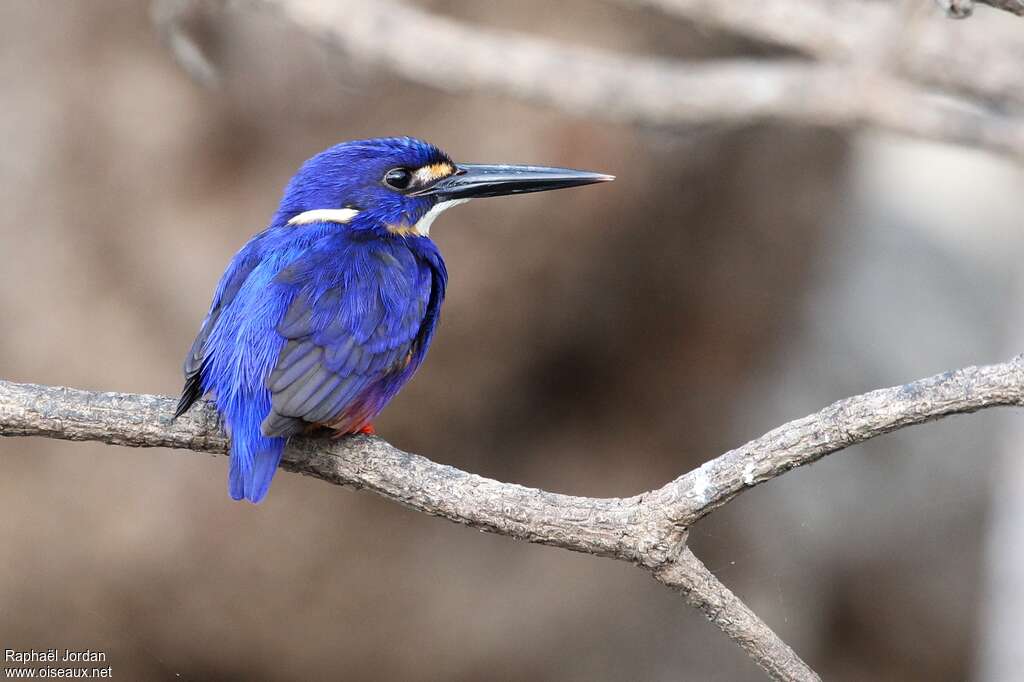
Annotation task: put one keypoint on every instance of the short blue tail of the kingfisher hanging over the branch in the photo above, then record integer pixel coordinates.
(254, 458)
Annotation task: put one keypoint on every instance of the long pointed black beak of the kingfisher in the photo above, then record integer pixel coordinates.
(476, 181)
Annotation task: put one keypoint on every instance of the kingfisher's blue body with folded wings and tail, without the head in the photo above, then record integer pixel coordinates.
(307, 327)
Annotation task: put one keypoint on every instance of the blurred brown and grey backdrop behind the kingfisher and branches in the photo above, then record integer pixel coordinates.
(596, 343)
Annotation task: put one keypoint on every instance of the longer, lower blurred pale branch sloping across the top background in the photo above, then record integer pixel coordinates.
(652, 92)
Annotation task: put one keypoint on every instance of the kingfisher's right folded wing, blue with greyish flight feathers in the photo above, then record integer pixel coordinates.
(356, 330)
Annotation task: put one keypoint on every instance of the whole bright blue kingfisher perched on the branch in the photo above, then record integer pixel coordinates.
(320, 320)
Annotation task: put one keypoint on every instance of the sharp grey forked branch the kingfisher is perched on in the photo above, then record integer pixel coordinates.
(649, 530)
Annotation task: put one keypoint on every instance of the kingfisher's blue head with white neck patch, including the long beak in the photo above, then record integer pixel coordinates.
(398, 186)
